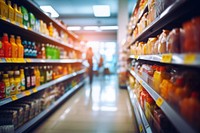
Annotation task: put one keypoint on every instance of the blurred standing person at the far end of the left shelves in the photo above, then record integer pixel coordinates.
(89, 57)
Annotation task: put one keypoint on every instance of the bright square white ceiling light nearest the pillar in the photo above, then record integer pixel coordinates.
(101, 10)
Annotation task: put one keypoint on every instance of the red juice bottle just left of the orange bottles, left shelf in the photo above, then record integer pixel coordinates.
(7, 46)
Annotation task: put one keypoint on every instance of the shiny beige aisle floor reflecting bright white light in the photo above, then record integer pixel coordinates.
(102, 109)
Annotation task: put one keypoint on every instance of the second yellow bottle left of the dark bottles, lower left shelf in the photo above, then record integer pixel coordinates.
(13, 90)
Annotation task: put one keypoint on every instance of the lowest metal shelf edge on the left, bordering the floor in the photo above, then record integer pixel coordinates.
(33, 121)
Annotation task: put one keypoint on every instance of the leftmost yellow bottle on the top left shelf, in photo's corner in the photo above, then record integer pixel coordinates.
(3, 9)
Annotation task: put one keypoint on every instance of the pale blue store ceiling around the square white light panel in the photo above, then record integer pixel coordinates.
(80, 13)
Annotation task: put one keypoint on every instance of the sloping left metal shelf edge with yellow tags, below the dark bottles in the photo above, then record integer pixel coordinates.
(42, 87)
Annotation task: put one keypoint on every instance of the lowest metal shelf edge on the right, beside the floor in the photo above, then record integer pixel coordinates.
(141, 118)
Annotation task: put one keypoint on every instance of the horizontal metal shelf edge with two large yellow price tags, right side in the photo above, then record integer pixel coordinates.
(180, 59)
